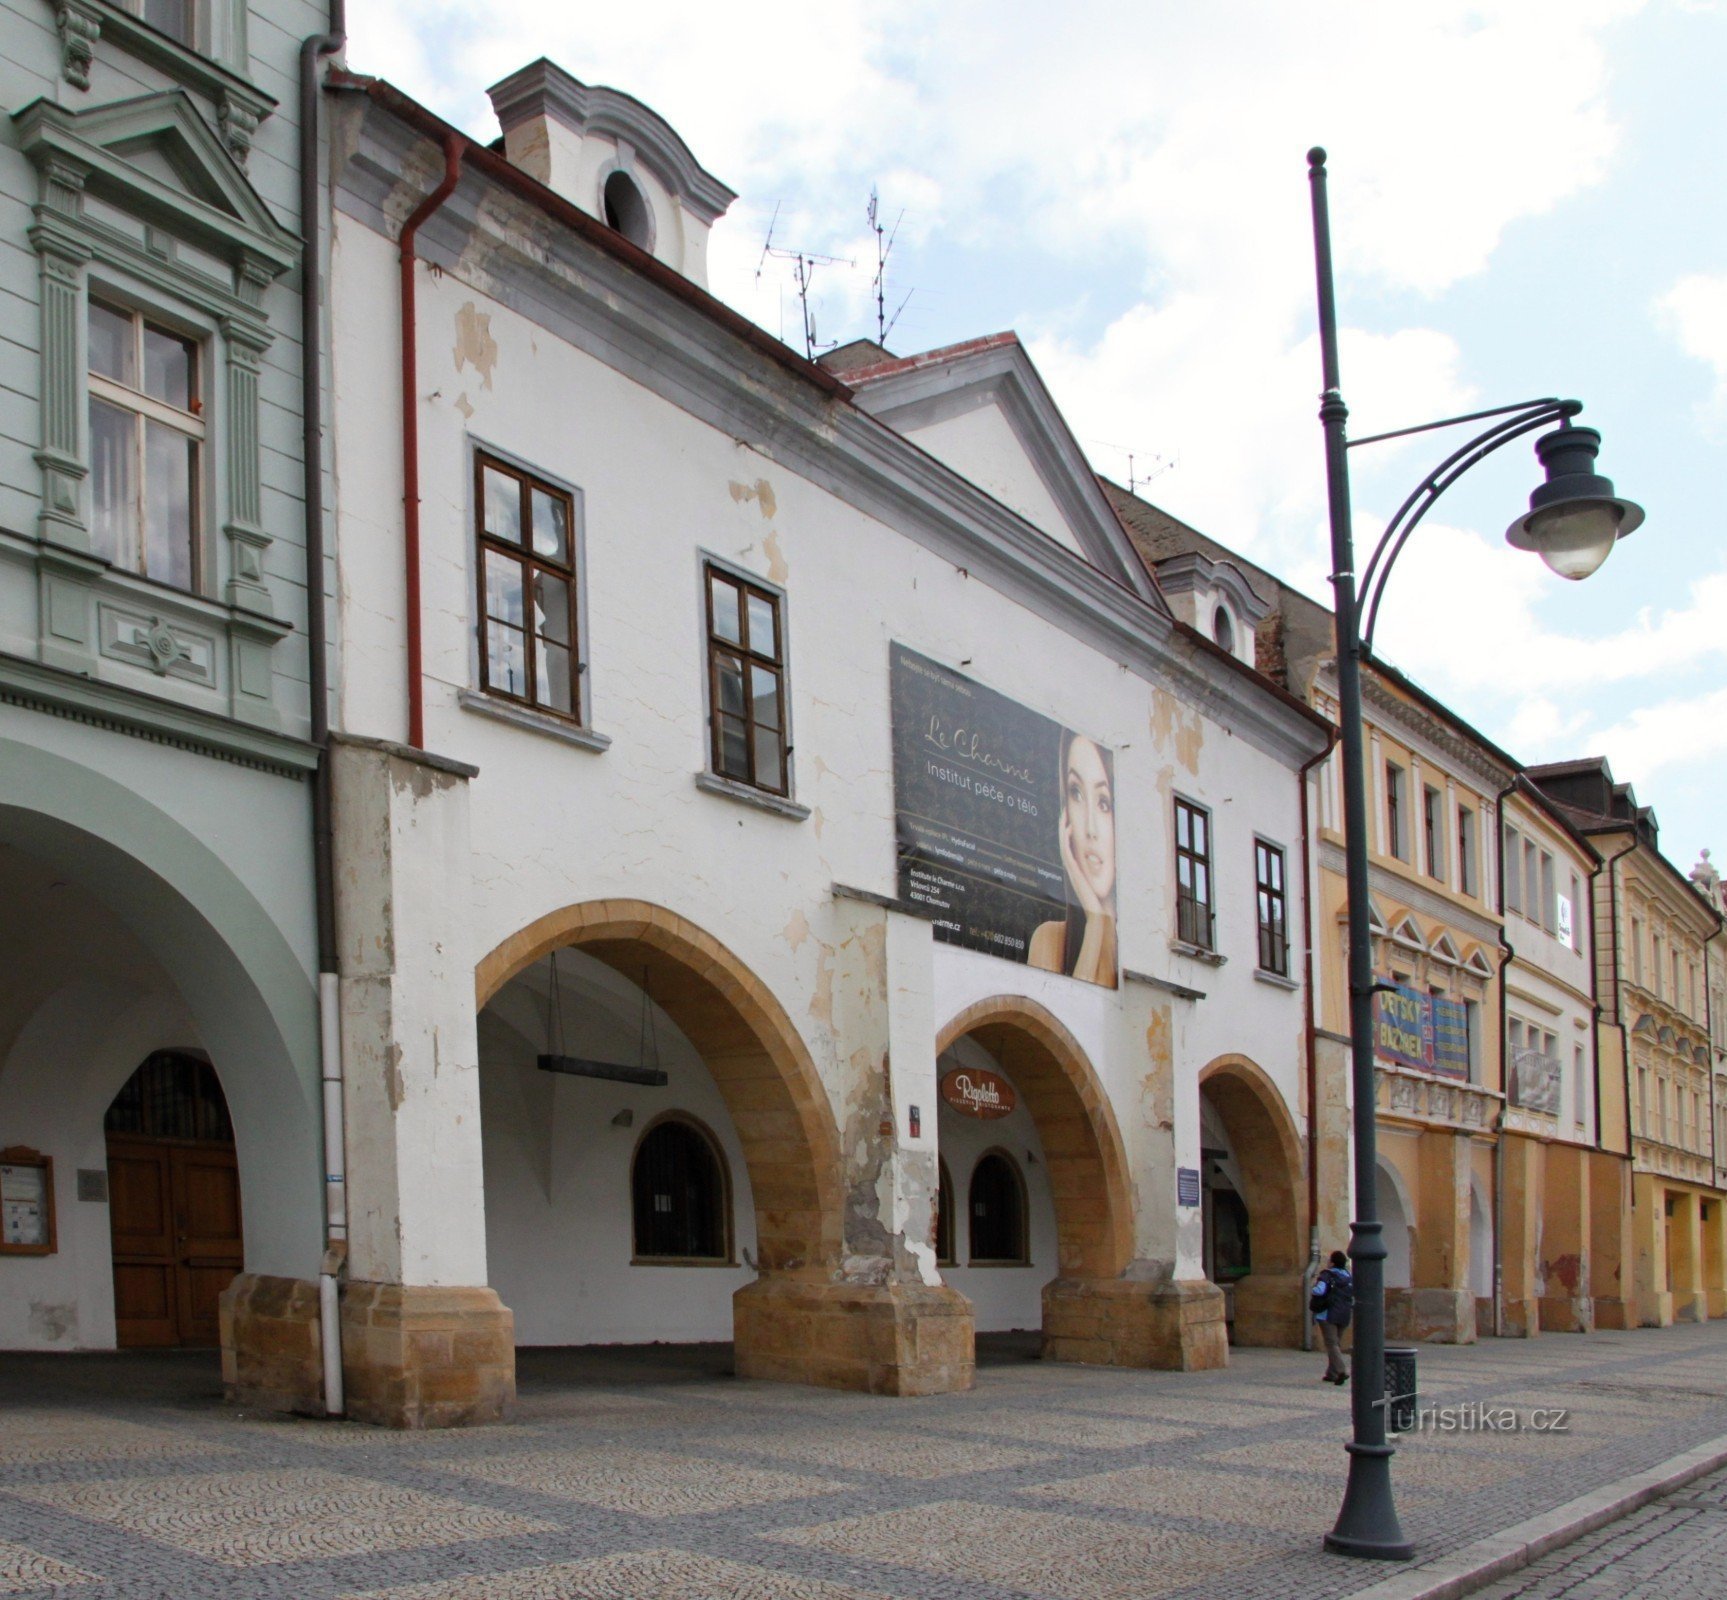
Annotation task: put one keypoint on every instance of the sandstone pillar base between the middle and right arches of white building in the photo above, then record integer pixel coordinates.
(1125, 1323)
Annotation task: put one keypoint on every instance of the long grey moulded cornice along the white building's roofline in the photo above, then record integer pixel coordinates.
(595, 302)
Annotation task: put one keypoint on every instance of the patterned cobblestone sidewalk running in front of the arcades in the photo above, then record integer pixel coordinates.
(654, 1475)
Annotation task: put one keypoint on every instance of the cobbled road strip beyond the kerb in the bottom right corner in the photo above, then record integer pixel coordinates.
(1674, 1549)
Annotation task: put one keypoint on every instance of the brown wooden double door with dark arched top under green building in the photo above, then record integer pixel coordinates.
(174, 1203)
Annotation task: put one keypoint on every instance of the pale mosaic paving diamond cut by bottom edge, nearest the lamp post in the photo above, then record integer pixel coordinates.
(1042, 1552)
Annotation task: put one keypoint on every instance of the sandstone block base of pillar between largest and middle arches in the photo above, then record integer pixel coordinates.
(878, 1338)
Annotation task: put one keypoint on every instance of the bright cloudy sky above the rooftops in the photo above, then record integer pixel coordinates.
(1526, 200)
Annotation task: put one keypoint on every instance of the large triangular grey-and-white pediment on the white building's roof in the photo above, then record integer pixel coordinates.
(982, 409)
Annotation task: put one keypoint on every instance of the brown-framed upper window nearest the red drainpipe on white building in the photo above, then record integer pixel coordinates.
(528, 537)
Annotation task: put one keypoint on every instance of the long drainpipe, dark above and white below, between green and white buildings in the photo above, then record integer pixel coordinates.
(313, 51)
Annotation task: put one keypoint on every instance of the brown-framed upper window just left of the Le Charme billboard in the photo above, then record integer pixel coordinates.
(747, 682)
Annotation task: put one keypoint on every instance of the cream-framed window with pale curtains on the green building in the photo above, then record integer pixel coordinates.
(146, 447)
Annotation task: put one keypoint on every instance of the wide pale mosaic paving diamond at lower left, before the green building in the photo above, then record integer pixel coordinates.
(248, 1518)
